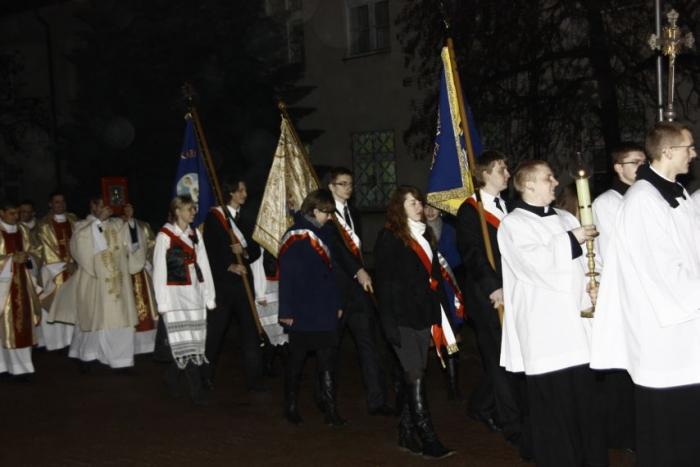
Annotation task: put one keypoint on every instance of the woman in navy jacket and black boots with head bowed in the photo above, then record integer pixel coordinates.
(309, 304)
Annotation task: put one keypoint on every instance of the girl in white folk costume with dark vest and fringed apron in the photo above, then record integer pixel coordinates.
(184, 291)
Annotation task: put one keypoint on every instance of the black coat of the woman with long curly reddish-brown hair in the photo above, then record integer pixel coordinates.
(403, 287)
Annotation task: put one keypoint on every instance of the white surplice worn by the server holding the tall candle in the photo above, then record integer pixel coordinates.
(544, 292)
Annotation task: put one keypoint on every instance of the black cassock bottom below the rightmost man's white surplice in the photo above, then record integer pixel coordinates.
(666, 422)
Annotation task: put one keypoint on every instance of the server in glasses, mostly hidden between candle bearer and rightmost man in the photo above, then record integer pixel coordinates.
(627, 158)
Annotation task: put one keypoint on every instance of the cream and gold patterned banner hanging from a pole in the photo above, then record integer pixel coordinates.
(290, 179)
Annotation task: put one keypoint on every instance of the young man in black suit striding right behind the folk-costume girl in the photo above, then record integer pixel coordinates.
(231, 299)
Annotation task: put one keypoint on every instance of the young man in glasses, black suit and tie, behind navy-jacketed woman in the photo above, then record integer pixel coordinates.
(355, 286)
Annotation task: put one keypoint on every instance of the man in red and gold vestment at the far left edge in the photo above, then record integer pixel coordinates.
(19, 305)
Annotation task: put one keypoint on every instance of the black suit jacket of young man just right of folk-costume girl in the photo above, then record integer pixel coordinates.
(218, 244)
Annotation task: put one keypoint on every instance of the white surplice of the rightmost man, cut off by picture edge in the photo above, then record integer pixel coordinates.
(648, 311)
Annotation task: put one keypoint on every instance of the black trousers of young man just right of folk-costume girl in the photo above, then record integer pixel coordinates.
(232, 303)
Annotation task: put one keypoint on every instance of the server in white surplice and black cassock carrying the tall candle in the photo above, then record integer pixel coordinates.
(544, 290)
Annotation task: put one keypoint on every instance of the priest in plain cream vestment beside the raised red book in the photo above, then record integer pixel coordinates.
(100, 292)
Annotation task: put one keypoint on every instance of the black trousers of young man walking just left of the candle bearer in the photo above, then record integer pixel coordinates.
(496, 394)
